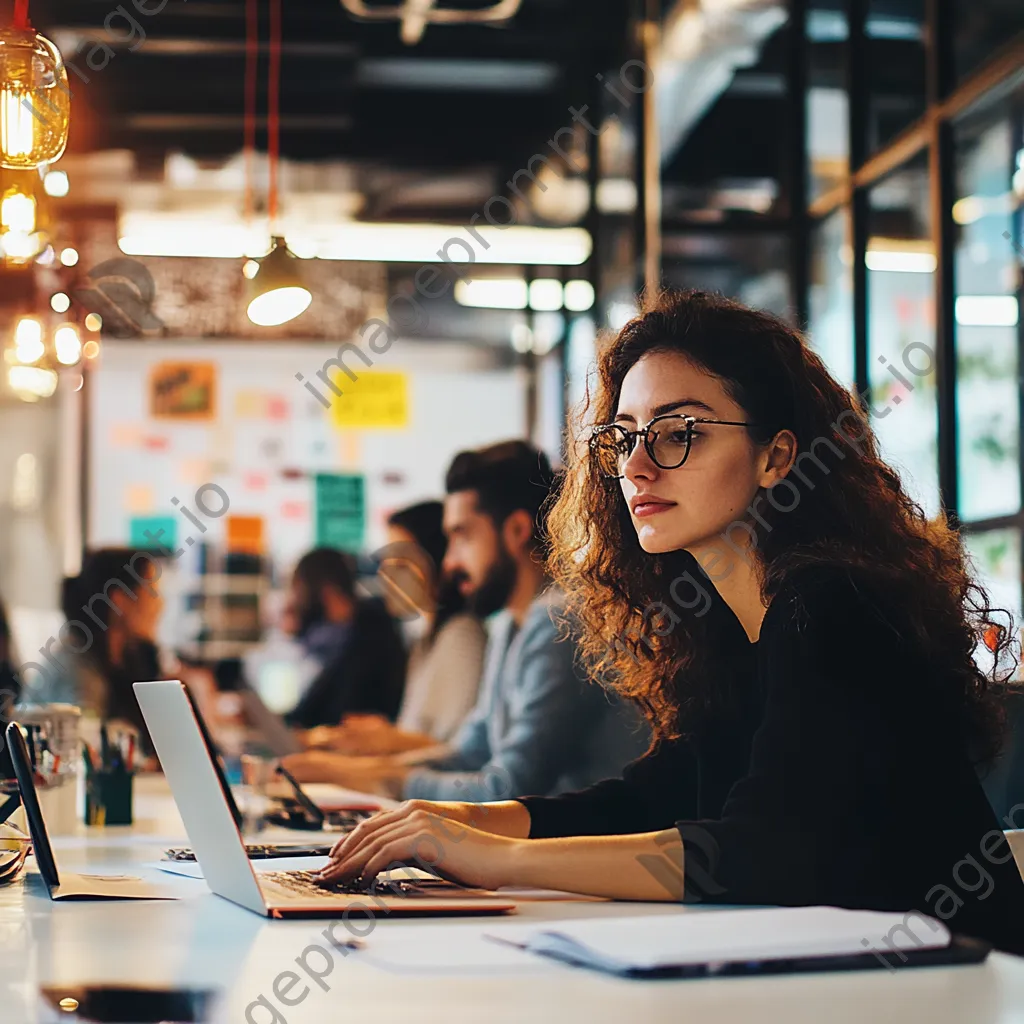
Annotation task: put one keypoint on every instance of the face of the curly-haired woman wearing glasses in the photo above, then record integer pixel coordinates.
(693, 507)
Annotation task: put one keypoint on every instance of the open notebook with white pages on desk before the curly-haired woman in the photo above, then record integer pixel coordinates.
(695, 944)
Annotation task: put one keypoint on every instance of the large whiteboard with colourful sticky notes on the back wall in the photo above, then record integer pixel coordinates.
(138, 465)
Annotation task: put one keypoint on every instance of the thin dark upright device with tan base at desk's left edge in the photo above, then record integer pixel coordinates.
(62, 885)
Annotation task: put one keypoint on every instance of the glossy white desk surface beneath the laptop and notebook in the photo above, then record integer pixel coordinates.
(428, 972)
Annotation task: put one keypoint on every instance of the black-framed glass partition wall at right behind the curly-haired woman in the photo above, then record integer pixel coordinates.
(915, 174)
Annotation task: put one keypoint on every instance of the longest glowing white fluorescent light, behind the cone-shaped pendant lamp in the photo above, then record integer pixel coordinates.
(150, 234)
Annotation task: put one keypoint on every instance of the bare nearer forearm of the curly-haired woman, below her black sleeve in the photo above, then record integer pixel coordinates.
(648, 867)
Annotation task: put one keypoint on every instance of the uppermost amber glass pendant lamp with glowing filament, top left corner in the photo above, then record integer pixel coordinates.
(35, 100)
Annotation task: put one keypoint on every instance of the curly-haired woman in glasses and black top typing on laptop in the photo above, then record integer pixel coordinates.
(817, 737)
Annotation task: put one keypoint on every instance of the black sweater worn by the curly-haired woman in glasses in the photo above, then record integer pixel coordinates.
(841, 777)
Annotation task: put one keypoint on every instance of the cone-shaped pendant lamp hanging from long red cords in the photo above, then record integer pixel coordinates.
(276, 293)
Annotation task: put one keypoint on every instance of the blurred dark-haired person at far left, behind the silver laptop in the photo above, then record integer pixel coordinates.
(109, 643)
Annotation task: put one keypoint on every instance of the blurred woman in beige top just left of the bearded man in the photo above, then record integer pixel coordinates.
(446, 659)
